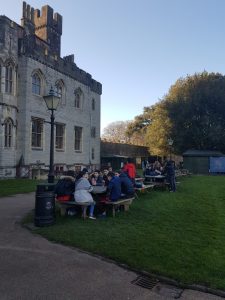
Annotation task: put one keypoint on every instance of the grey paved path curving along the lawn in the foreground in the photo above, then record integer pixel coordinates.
(32, 268)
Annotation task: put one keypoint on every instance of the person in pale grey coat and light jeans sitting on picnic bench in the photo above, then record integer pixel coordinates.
(83, 190)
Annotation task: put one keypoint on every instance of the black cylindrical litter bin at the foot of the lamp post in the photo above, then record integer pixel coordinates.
(45, 205)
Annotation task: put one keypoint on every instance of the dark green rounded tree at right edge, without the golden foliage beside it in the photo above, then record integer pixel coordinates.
(196, 109)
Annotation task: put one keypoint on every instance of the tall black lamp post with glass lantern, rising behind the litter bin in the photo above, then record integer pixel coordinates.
(52, 102)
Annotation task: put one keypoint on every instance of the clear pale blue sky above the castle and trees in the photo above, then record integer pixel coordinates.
(137, 48)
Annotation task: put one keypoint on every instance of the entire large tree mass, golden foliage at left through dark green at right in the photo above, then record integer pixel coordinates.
(192, 114)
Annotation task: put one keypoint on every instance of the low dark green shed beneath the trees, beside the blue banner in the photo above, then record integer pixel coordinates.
(198, 161)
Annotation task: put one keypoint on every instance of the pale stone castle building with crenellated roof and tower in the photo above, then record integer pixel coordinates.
(30, 64)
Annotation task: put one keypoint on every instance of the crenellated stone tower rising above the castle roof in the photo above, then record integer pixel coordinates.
(46, 25)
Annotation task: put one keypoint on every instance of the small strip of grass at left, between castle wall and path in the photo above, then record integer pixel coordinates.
(17, 186)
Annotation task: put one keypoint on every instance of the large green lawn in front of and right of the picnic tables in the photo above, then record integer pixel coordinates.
(179, 235)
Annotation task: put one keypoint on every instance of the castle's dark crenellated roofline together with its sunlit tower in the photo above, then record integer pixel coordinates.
(41, 41)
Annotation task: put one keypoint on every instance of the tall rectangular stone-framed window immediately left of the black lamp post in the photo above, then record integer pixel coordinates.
(37, 133)
